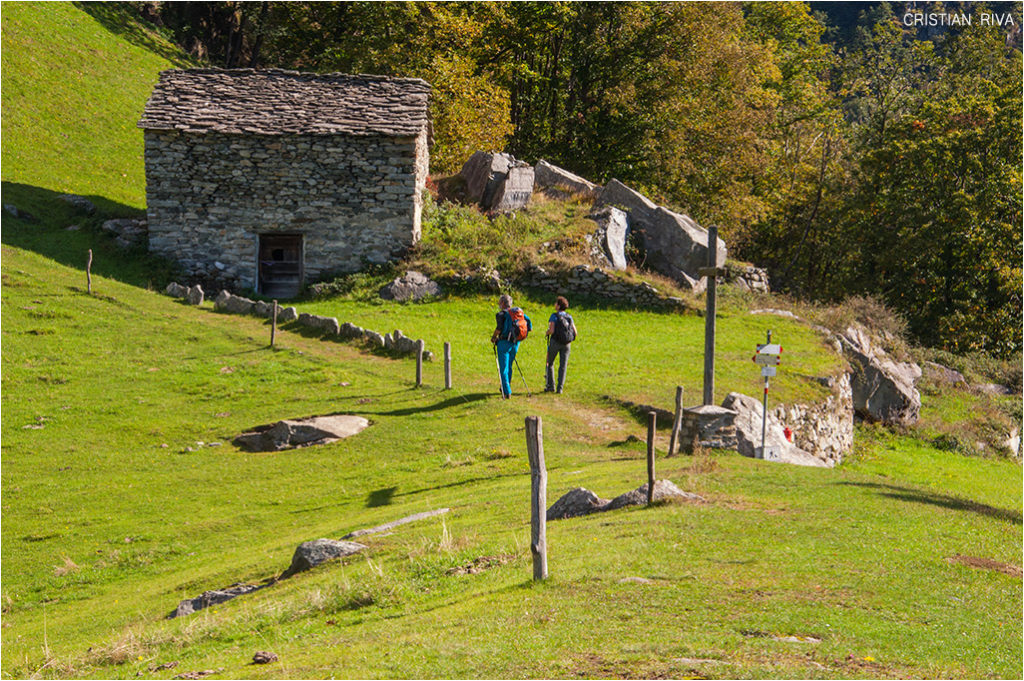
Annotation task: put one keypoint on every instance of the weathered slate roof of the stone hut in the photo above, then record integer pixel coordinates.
(273, 102)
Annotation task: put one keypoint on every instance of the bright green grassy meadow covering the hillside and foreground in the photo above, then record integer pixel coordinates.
(122, 493)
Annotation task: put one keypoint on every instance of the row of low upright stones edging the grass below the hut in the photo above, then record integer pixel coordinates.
(227, 303)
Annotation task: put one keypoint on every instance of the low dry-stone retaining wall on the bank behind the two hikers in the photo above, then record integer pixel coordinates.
(589, 281)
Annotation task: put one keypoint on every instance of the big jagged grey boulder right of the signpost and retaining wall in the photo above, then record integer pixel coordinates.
(883, 390)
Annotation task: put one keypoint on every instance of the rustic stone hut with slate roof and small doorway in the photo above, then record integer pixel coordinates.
(269, 179)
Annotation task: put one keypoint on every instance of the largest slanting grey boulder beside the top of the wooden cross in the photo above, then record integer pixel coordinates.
(673, 244)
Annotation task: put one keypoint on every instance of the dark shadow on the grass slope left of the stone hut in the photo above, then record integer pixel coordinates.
(49, 236)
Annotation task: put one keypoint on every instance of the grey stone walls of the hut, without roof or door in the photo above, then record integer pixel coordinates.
(354, 199)
